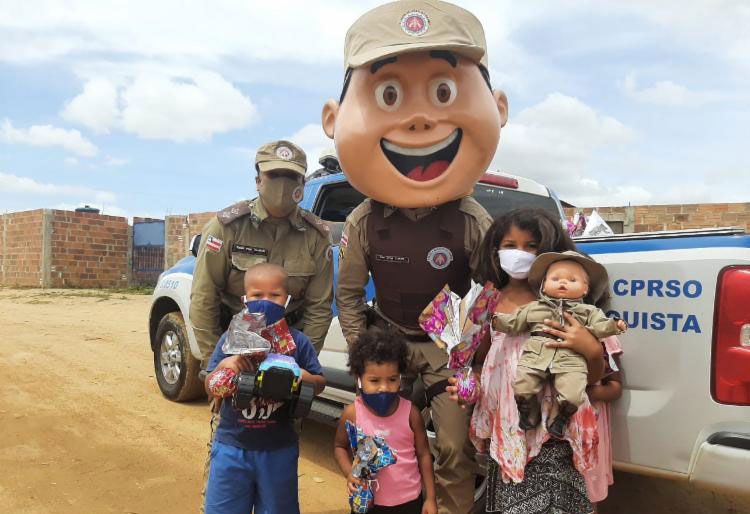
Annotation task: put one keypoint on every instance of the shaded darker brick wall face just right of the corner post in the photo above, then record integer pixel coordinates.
(89, 250)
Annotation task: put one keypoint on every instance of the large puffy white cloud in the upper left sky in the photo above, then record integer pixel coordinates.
(180, 104)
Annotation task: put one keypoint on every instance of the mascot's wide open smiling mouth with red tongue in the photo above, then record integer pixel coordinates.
(423, 164)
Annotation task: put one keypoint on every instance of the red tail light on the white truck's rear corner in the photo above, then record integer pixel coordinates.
(730, 359)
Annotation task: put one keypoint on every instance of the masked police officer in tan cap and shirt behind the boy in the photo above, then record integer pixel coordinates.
(270, 228)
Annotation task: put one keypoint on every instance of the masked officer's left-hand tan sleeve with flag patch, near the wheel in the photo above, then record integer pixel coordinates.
(209, 279)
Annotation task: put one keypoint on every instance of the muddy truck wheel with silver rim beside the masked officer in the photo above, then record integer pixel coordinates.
(175, 367)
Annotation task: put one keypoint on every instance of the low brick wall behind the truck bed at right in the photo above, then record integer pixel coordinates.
(651, 218)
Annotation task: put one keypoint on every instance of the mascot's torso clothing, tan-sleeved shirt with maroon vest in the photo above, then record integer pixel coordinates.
(412, 253)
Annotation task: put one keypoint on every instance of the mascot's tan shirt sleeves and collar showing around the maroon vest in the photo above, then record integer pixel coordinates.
(354, 257)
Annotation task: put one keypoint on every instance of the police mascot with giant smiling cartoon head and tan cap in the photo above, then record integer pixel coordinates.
(416, 126)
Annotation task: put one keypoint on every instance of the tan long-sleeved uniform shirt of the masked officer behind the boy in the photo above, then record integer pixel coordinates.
(245, 235)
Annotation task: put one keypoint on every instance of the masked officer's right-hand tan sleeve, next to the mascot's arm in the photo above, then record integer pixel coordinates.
(317, 315)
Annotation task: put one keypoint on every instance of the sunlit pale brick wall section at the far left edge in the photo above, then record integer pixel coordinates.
(21, 248)
